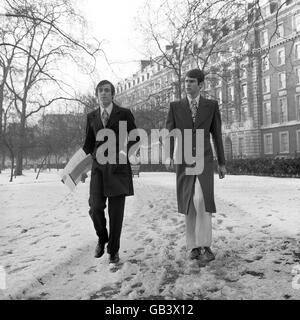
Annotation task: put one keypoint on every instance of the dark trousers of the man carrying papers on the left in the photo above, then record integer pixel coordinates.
(116, 206)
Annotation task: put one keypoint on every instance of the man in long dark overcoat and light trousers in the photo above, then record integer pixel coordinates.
(195, 193)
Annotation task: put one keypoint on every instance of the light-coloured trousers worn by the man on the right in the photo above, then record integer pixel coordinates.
(198, 221)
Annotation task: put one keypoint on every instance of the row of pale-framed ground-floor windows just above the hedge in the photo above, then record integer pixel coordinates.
(284, 144)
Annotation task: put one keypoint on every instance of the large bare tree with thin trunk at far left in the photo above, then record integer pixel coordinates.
(33, 77)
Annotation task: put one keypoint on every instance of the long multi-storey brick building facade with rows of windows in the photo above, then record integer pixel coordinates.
(256, 80)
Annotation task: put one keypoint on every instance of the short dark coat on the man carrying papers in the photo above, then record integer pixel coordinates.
(109, 179)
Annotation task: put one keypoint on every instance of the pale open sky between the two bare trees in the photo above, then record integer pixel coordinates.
(114, 22)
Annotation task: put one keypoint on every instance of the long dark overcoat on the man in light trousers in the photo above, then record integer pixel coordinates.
(207, 118)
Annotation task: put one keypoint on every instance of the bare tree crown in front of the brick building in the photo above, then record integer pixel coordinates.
(182, 31)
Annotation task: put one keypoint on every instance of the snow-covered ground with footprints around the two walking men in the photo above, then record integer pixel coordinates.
(47, 242)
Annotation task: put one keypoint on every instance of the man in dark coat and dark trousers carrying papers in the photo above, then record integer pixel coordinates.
(109, 181)
